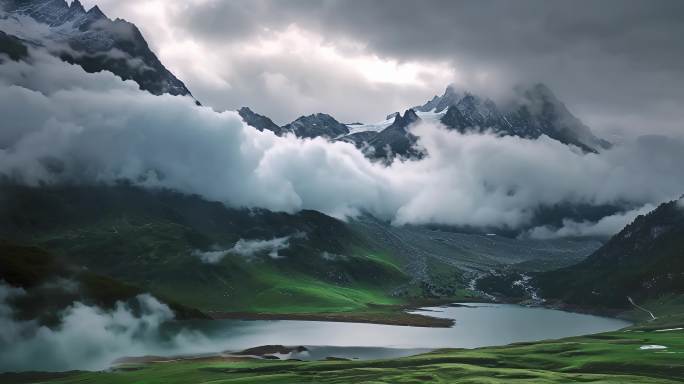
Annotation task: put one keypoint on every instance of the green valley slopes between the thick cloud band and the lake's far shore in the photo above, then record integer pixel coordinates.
(361, 270)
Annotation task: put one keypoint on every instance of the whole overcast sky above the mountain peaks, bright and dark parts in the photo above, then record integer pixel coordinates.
(618, 64)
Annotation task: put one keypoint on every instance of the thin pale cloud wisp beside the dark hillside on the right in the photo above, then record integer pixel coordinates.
(605, 227)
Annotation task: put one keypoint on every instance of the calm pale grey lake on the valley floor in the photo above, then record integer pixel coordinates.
(477, 325)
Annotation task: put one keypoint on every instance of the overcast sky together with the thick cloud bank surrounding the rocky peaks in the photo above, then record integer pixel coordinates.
(65, 125)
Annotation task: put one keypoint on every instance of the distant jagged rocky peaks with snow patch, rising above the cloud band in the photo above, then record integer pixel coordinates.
(533, 112)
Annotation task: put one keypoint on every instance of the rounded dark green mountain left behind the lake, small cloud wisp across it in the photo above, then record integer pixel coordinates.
(202, 254)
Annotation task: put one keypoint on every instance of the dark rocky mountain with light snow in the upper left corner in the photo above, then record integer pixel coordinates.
(95, 42)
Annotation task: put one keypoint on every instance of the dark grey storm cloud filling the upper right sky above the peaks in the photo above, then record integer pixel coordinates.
(607, 59)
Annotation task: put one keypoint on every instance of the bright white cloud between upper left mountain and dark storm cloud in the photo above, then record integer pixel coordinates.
(282, 70)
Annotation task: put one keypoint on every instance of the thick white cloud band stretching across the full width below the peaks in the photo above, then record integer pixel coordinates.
(61, 124)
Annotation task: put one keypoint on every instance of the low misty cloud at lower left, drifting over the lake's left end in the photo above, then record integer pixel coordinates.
(87, 337)
